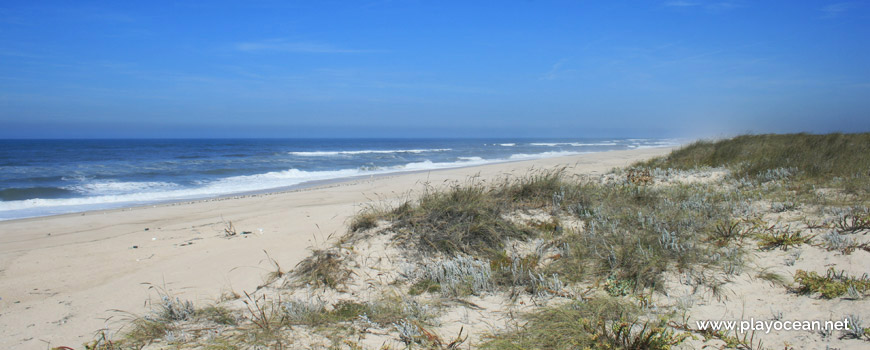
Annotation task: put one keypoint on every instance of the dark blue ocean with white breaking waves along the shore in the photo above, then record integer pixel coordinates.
(48, 177)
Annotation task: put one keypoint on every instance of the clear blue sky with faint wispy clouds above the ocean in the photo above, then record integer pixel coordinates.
(432, 68)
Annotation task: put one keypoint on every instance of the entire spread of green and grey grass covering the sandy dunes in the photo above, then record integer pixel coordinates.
(621, 236)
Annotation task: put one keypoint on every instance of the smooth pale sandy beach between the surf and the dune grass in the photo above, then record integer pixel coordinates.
(61, 276)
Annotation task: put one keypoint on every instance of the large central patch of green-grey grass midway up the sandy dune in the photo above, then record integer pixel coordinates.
(633, 233)
